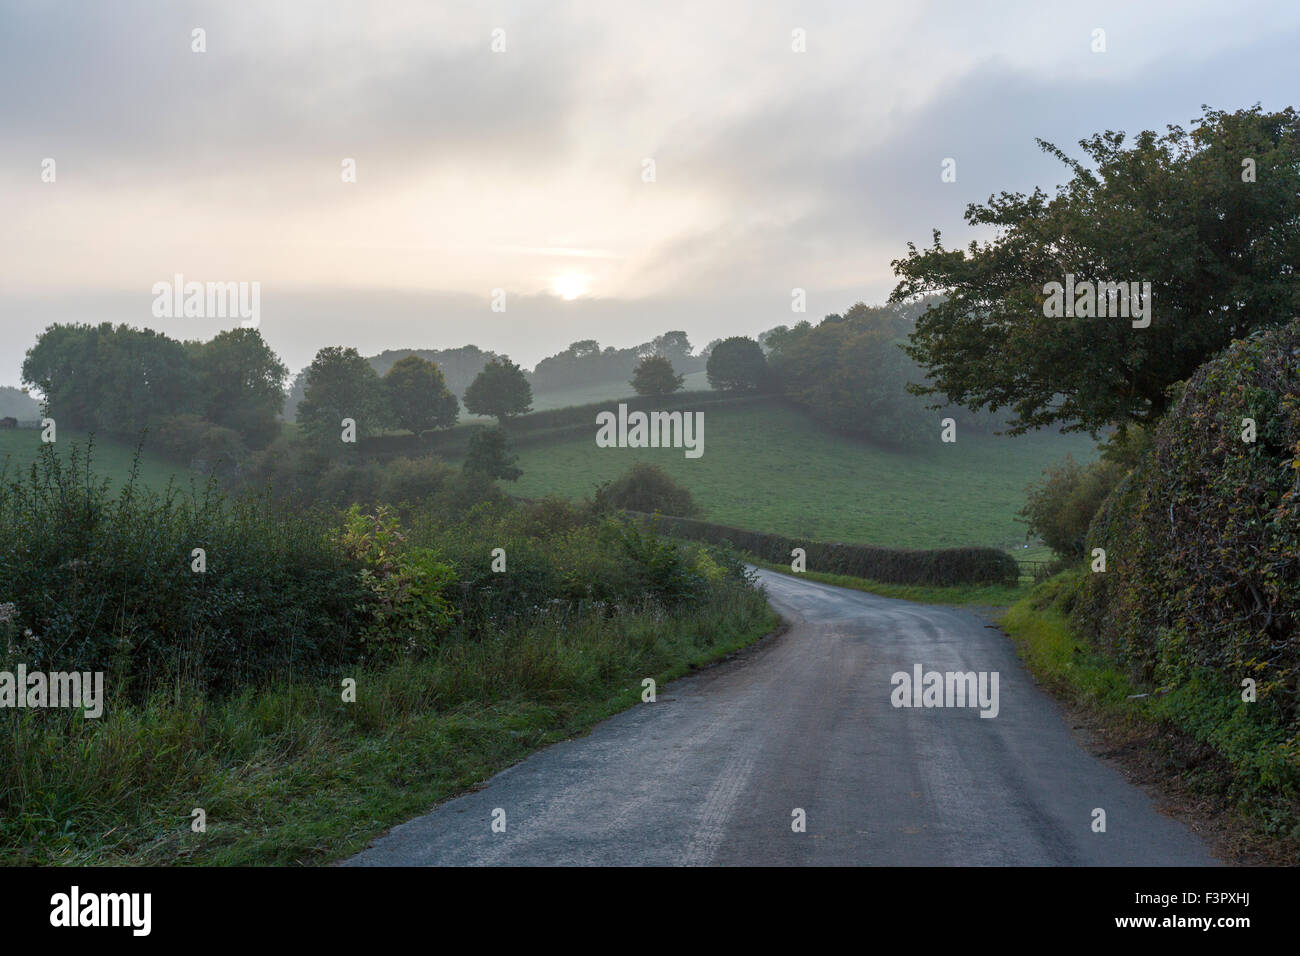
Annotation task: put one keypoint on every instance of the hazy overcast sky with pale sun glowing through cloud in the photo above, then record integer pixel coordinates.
(525, 170)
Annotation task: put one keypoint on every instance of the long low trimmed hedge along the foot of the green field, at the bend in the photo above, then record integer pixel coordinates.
(943, 568)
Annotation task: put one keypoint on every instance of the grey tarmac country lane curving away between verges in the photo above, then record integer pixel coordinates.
(712, 772)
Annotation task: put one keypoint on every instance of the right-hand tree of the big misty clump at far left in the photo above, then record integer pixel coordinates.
(241, 384)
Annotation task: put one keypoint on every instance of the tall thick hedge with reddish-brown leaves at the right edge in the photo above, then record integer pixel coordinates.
(1203, 538)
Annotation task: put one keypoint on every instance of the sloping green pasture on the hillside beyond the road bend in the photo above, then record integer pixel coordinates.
(770, 468)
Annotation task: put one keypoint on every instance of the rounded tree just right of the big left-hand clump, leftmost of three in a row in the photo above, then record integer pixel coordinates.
(340, 384)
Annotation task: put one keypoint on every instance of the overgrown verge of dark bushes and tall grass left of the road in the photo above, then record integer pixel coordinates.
(226, 687)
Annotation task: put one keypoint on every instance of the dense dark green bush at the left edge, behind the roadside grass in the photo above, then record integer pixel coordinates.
(106, 583)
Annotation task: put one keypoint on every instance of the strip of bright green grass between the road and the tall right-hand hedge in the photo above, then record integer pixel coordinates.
(1223, 749)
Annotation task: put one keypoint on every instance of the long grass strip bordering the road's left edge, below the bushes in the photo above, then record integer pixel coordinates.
(294, 776)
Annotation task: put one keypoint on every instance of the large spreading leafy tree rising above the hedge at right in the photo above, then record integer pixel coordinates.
(1180, 211)
